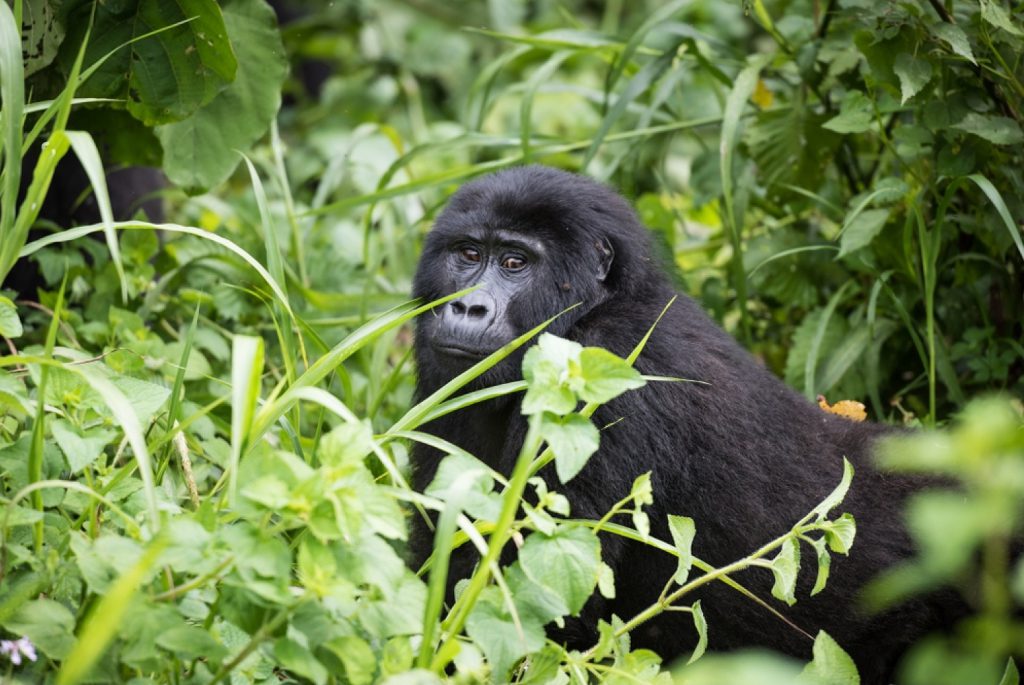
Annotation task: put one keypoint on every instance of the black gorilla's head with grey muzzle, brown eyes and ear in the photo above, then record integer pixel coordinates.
(532, 249)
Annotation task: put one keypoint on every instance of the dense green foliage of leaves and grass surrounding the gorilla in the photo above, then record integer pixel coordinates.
(205, 426)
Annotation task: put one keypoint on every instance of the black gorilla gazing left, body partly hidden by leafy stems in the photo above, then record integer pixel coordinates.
(742, 454)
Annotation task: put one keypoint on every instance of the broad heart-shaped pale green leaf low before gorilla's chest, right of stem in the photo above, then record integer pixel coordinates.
(566, 563)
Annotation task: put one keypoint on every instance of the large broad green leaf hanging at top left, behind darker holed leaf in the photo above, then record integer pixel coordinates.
(201, 152)
